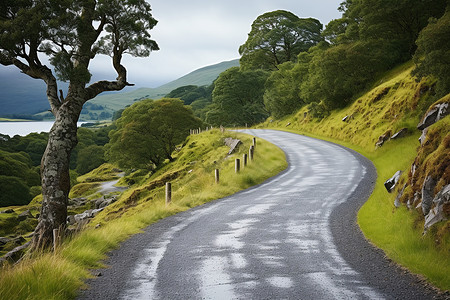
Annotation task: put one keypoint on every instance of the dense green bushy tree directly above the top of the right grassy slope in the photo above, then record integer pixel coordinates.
(338, 73)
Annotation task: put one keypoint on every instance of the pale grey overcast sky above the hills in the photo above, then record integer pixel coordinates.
(197, 33)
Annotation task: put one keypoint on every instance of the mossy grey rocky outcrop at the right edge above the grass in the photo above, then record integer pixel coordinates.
(427, 186)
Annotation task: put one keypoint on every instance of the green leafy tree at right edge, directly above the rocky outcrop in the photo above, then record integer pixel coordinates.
(433, 53)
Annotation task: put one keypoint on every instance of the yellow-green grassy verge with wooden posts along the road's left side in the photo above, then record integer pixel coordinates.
(60, 275)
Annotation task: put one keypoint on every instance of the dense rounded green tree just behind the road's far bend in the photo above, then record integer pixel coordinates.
(238, 98)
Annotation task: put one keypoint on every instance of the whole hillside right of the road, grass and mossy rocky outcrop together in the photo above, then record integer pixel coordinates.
(383, 124)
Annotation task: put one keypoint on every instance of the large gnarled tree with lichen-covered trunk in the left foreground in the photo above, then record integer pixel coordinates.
(71, 34)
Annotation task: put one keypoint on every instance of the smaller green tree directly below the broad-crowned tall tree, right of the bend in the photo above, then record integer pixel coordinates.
(282, 94)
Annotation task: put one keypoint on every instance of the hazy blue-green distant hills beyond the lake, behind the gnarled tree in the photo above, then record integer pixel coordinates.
(22, 95)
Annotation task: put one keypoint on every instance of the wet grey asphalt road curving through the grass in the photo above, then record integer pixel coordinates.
(292, 237)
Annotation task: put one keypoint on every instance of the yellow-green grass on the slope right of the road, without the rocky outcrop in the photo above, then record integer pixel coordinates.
(397, 102)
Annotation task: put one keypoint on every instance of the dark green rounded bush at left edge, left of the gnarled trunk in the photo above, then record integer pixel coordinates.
(13, 191)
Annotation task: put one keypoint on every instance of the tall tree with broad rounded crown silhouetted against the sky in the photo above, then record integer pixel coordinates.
(277, 37)
